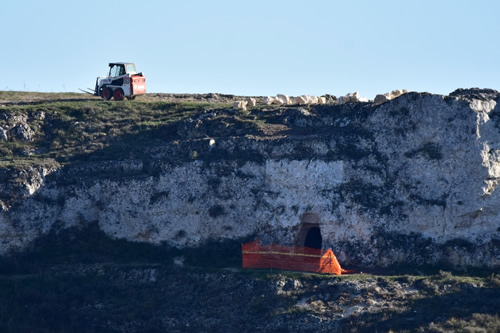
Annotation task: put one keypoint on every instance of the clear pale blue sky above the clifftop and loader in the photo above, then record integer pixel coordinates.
(253, 47)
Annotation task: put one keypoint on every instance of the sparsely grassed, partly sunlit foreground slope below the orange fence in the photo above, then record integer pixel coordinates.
(152, 298)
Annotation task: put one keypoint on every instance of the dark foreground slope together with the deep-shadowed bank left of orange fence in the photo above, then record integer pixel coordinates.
(81, 281)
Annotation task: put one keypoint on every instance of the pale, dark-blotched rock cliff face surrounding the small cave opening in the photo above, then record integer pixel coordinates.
(410, 181)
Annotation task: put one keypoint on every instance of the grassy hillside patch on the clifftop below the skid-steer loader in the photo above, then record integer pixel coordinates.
(70, 128)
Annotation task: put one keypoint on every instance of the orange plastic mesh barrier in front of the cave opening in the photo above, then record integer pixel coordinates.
(290, 258)
